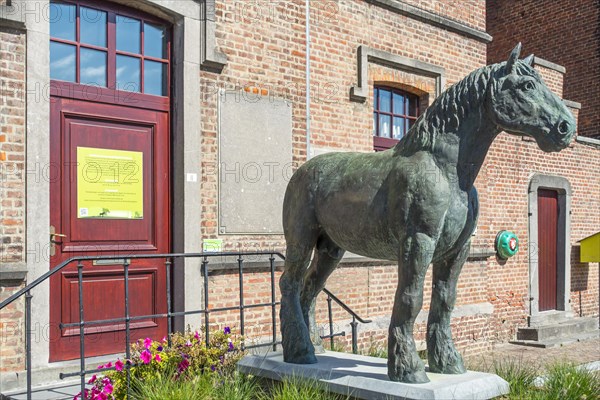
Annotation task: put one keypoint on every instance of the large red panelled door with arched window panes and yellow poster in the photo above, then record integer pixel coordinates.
(110, 193)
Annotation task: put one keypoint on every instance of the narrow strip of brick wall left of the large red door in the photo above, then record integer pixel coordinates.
(12, 189)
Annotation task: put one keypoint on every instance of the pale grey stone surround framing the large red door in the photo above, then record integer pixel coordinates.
(187, 19)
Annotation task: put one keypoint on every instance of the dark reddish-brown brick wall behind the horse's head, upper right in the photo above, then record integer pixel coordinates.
(564, 32)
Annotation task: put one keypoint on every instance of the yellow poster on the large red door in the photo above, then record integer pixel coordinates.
(109, 184)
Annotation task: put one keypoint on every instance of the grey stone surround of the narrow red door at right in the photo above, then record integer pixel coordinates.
(563, 263)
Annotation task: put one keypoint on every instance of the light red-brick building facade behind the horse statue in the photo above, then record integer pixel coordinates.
(265, 49)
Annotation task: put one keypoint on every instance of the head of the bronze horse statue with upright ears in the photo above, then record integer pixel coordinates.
(520, 103)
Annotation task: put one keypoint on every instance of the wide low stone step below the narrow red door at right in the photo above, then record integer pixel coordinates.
(560, 330)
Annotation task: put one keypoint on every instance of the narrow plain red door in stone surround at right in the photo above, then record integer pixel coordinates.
(547, 259)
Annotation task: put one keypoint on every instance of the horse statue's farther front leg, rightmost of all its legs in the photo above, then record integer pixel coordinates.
(441, 353)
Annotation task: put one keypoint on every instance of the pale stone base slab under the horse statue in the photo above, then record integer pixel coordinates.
(365, 377)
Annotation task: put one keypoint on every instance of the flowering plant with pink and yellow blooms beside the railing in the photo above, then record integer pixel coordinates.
(186, 357)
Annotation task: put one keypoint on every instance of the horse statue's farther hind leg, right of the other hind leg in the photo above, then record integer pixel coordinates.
(326, 258)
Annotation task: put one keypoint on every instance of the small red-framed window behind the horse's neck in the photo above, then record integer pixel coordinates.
(394, 113)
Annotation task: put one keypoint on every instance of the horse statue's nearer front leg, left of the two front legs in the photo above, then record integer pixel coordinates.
(404, 364)
